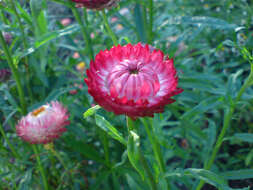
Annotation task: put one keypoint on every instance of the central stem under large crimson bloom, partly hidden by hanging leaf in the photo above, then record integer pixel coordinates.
(130, 126)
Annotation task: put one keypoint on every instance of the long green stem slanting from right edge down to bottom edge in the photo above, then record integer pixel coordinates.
(227, 119)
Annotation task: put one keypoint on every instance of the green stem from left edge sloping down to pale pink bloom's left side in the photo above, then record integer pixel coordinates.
(15, 74)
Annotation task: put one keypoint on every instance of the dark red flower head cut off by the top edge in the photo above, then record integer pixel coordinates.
(96, 4)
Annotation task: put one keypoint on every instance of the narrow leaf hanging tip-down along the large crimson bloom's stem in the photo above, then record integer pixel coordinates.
(133, 146)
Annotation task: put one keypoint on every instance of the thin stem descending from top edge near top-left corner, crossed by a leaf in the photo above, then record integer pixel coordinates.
(25, 46)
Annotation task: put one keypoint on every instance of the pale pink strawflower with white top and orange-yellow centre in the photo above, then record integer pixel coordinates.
(44, 124)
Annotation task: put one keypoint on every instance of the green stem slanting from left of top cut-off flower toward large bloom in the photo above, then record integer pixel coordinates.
(84, 32)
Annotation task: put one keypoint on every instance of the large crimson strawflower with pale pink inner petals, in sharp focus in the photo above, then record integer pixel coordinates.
(135, 80)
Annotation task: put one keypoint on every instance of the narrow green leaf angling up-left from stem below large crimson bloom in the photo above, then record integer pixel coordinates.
(109, 129)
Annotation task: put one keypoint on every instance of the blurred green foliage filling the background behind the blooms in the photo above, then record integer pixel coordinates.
(48, 43)
